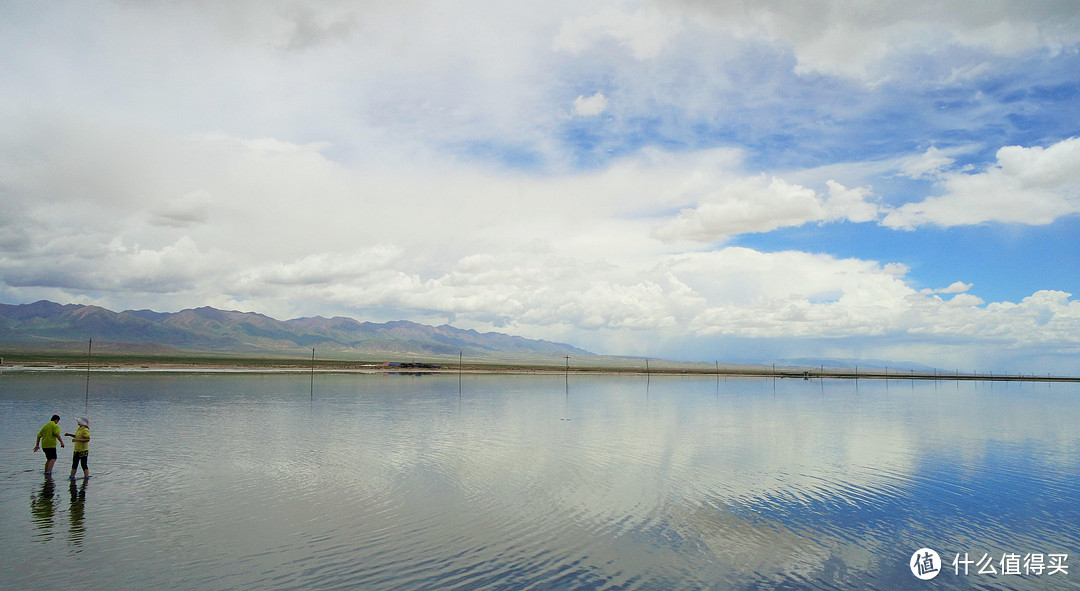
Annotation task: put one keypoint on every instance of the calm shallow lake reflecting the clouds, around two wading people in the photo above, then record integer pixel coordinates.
(260, 481)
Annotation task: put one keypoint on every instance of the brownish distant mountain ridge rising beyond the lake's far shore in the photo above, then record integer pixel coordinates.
(48, 325)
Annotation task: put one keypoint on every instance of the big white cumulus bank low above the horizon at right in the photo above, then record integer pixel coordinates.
(791, 294)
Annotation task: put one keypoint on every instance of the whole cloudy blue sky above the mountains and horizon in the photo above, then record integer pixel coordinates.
(723, 181)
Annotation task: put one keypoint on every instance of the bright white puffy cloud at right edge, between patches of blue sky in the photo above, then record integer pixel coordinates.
(1033, 186)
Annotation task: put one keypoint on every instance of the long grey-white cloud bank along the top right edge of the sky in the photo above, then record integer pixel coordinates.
(833, 37)
